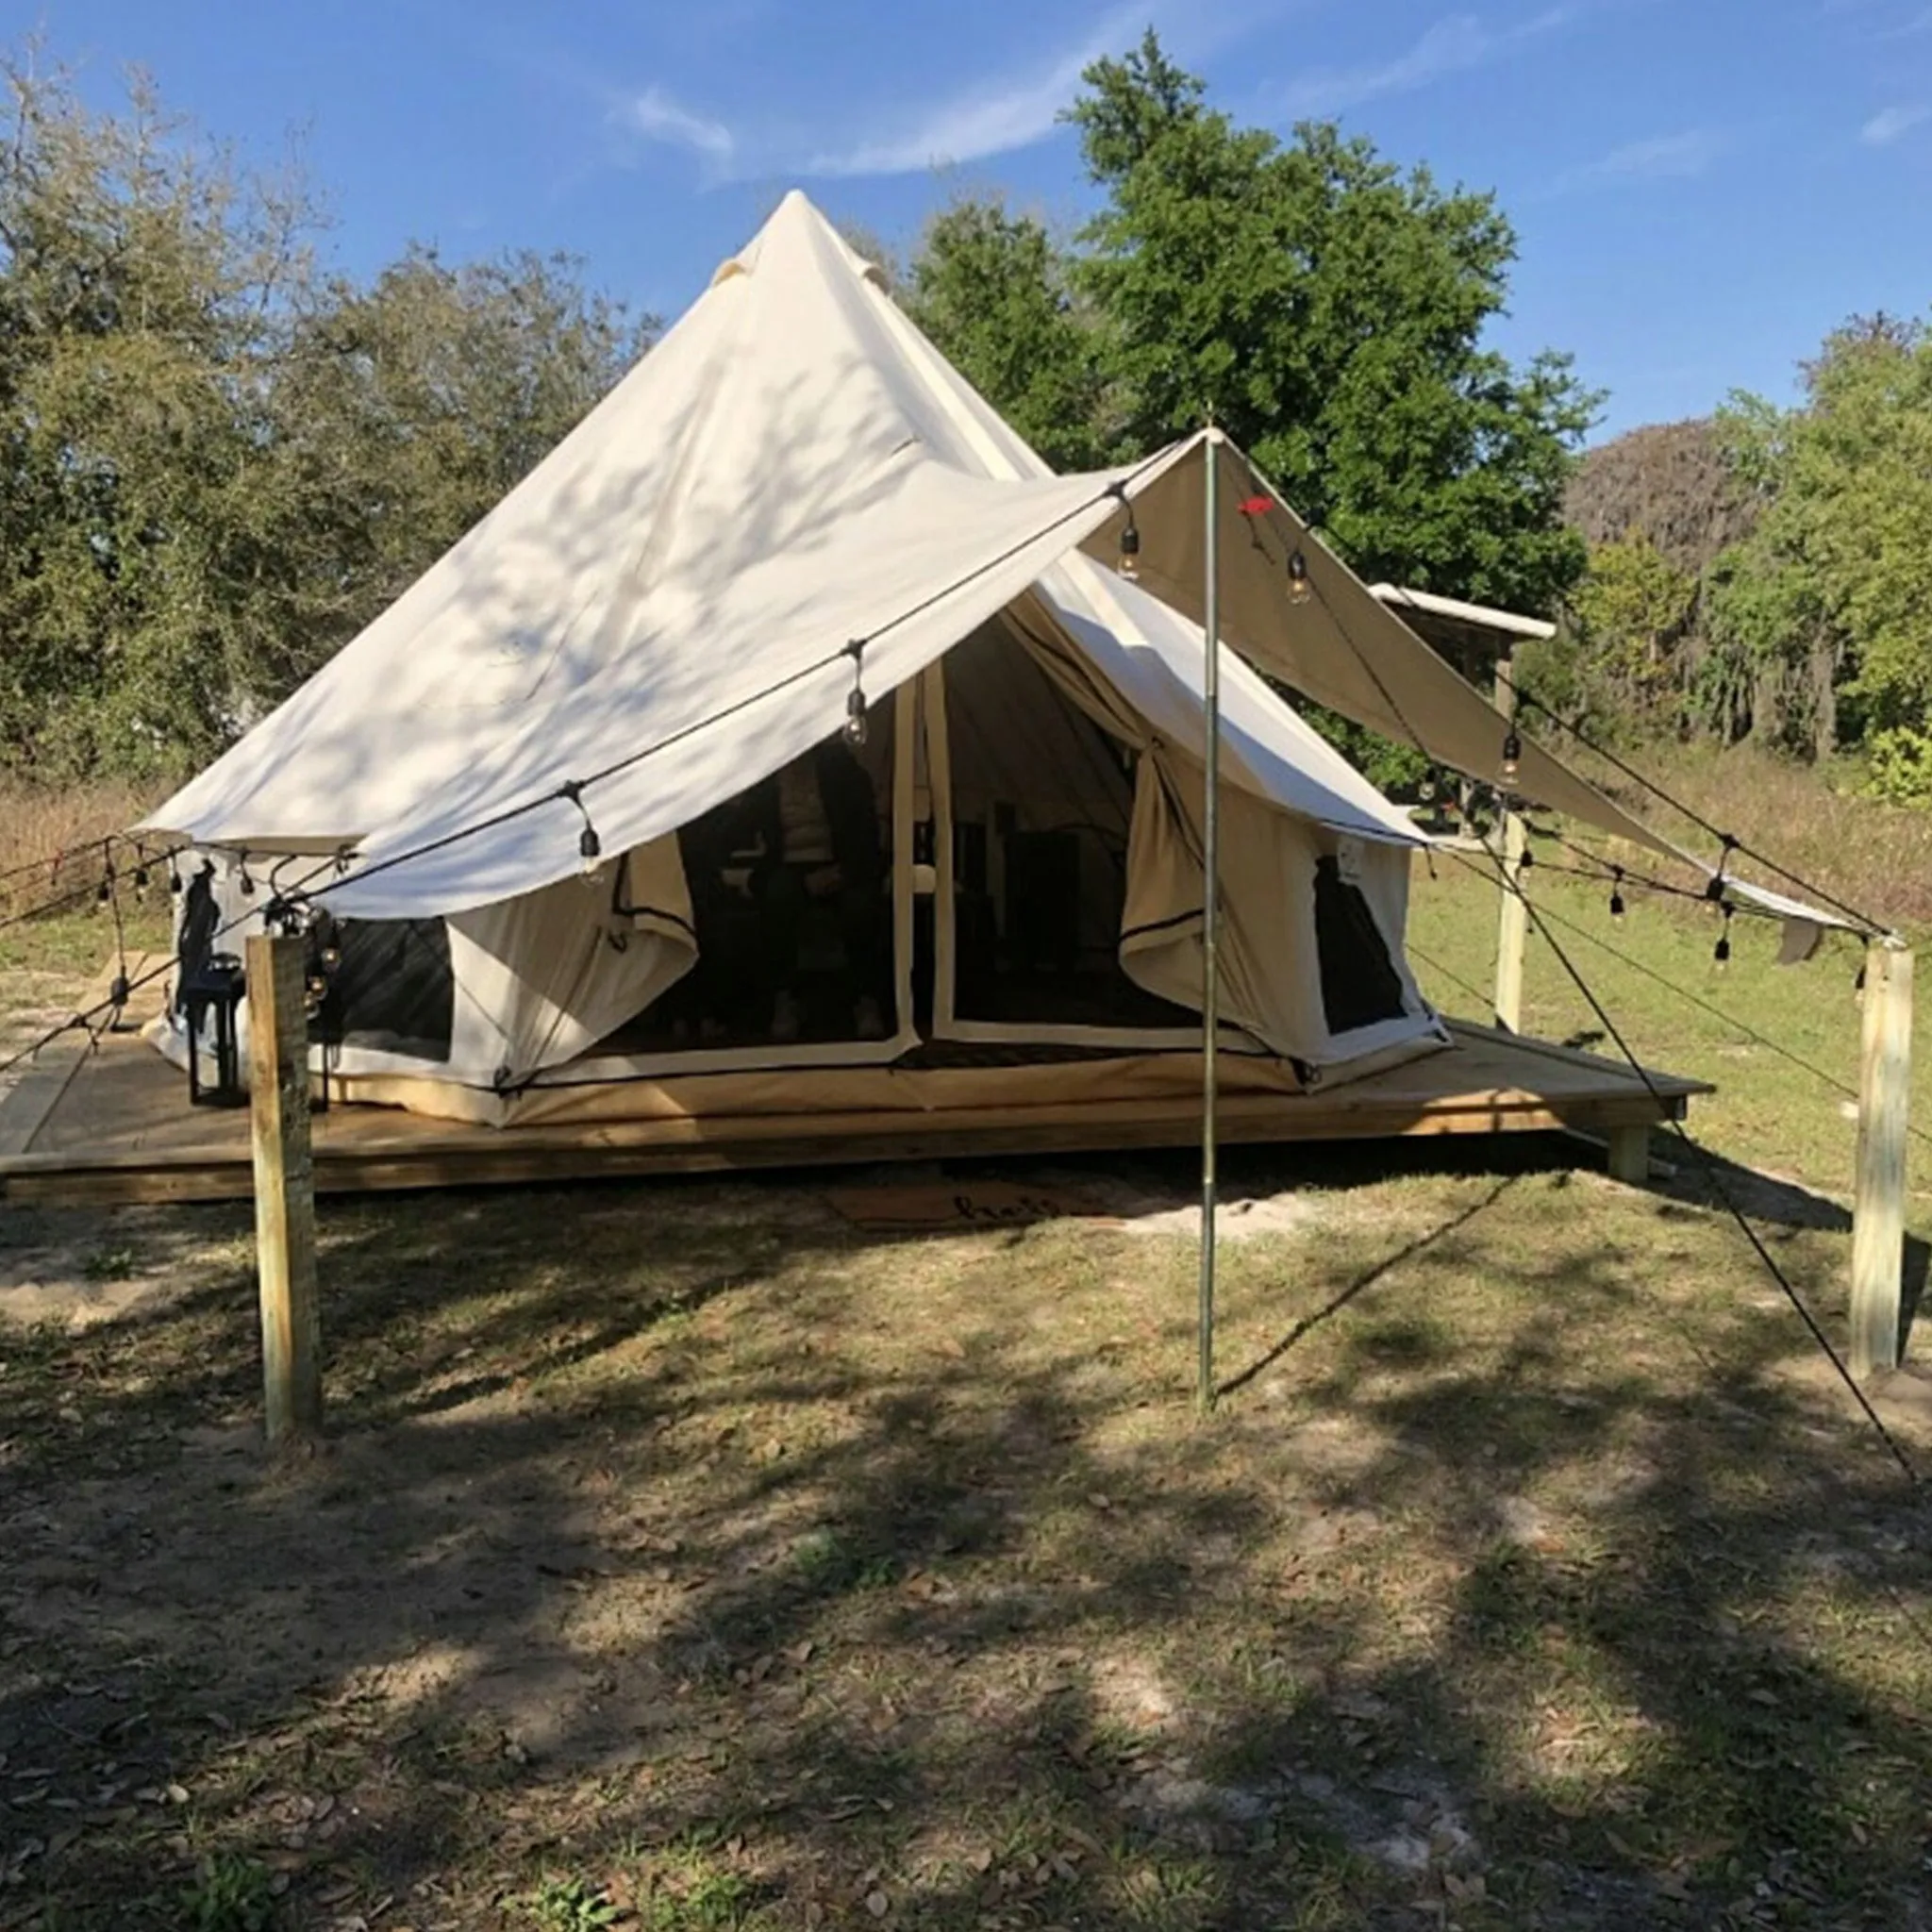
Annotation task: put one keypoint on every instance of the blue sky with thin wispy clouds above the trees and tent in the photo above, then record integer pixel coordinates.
(1701, 186)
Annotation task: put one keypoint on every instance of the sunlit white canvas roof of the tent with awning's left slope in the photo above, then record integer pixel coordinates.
(662, 610)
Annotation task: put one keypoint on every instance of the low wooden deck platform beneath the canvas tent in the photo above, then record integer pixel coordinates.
(115, 1125)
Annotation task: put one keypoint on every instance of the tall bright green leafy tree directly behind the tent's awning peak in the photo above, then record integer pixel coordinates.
(1322, 306)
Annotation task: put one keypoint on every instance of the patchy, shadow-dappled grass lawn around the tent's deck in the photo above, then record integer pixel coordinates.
(687, 1558)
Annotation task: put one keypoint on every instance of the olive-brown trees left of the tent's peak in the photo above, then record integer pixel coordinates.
(215, 461)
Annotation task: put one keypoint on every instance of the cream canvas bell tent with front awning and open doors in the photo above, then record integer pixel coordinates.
(793, 741)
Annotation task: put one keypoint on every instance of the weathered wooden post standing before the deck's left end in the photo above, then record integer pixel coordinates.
(285, 1189)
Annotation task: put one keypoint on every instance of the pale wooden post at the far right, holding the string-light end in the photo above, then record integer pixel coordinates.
(1879, 1208)
